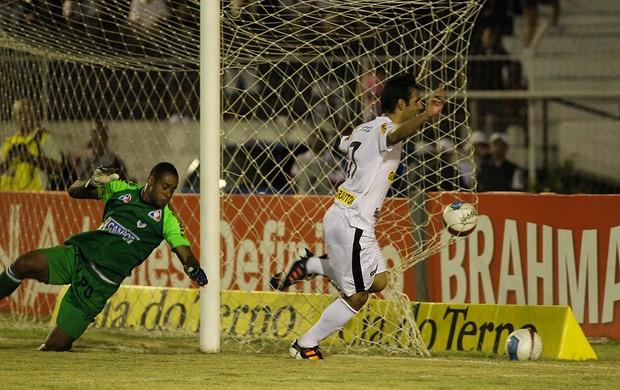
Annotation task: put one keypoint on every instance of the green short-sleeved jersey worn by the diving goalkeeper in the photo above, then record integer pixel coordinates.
(130, 231)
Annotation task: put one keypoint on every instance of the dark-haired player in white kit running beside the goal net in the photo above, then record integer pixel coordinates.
(354, 259)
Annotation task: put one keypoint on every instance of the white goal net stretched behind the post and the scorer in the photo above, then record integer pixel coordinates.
(295, 76)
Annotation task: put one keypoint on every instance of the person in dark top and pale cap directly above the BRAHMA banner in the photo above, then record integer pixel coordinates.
(497, 173)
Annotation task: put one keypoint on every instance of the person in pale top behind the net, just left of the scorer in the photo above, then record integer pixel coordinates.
(316, 171)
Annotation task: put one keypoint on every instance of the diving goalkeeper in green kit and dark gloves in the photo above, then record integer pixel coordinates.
(136, 218)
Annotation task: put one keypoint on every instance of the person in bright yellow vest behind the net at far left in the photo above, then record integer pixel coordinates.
(30, 157)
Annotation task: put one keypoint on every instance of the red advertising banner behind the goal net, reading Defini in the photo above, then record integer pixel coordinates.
(260, 235)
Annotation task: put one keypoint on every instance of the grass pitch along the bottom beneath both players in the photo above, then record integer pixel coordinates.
(125, 360)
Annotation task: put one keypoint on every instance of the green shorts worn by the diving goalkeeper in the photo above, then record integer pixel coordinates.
(87, 295)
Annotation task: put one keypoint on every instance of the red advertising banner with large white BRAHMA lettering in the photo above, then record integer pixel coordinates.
(541, 249)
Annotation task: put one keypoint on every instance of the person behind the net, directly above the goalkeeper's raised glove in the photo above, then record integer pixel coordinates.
(97, 154)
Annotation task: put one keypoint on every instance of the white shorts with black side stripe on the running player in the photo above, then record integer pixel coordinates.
(354, 254)
